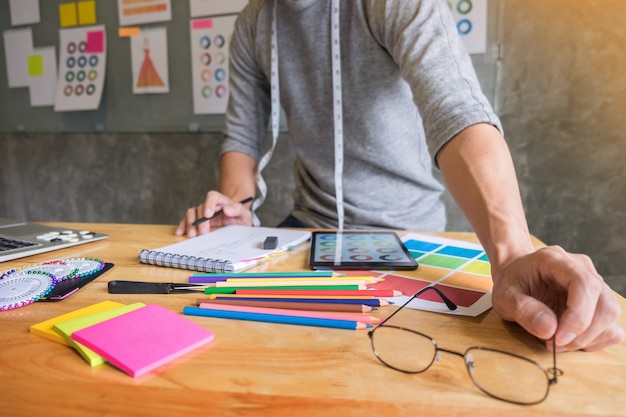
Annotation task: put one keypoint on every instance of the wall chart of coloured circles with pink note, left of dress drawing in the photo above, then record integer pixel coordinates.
(82, 67)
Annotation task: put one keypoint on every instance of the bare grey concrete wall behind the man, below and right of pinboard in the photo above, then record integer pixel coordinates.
(561, 93)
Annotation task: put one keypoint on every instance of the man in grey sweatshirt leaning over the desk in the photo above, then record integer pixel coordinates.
(367, 120)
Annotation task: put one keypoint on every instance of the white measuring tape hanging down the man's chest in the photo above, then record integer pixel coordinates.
(337, 114)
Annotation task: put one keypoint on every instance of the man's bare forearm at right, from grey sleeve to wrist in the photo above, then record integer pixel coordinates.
(480, 175)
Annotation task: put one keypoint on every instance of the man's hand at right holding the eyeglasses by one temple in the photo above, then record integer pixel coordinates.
(551, 291)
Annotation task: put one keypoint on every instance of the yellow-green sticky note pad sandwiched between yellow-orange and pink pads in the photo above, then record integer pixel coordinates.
(67, 328)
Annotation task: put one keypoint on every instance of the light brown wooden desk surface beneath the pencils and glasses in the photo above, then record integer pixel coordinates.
(272, 369)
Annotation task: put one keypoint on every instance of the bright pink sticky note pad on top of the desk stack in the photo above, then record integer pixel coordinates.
(144, 339)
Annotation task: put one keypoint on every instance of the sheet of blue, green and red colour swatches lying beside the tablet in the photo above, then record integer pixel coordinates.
(459, 269)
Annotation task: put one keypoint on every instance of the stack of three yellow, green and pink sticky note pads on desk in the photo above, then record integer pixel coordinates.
(135, 338)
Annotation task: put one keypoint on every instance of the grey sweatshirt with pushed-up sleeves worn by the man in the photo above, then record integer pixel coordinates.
(408, 86)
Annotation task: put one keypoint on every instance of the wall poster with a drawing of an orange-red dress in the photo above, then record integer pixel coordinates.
(149, 61)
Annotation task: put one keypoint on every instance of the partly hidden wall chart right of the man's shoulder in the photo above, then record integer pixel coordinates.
(471, 23)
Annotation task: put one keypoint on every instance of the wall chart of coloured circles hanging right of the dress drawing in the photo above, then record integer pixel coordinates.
(210, 39)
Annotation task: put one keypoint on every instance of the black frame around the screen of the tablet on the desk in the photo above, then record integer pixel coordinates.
(409, 263)
